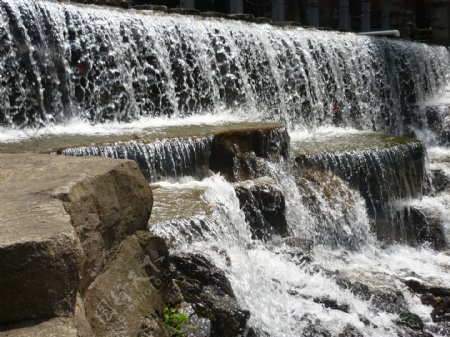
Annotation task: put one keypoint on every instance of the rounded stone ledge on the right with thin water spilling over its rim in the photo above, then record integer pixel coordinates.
(384, 168)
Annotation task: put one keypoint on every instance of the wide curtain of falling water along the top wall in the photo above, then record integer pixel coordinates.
(60, 62)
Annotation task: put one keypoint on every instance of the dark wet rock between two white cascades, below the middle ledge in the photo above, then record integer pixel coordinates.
(264, 207)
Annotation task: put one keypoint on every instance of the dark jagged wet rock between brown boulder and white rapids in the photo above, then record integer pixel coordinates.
(198, 282)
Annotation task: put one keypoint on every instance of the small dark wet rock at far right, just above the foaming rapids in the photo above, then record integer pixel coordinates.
(428, 228)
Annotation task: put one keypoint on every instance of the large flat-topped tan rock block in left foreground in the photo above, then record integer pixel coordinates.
(44, 252)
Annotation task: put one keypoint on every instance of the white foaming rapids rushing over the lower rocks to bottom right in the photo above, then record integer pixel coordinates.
(281, 291)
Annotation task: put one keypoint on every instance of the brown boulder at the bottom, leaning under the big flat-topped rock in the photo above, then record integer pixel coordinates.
(125, 298)
